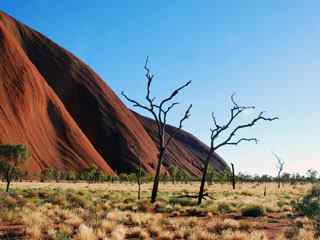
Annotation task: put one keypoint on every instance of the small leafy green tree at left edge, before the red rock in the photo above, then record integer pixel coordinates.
(11, 157)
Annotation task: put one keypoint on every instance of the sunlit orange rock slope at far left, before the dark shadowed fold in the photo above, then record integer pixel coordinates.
(31, 113)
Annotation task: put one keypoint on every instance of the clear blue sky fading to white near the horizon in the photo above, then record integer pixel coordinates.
(266, 51)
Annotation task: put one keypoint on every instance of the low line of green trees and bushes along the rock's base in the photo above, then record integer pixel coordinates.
(176, 175)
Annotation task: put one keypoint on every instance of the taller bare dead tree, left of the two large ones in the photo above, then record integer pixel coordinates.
(159, 113)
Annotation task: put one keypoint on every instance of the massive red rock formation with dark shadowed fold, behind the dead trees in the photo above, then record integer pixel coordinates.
(67, 115)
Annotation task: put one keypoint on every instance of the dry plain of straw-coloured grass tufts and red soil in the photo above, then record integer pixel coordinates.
(85, 211)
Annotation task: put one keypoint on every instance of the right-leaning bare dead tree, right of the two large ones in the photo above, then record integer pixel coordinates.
(218, 130)
